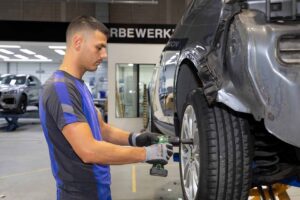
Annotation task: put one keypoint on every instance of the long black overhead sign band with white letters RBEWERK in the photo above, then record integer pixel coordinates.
(55, 32)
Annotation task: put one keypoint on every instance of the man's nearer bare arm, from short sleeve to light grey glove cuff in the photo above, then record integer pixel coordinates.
(79, 135)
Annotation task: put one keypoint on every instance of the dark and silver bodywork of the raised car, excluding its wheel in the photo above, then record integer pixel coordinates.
(250, 69)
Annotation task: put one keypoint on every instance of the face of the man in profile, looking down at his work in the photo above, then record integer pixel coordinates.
(93, 50)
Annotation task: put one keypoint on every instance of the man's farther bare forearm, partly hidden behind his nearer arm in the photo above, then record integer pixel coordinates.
(112, 134)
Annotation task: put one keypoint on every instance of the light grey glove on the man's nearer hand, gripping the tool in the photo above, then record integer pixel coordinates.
(159, 153)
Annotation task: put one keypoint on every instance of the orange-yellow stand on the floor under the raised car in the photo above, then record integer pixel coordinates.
(270, 192)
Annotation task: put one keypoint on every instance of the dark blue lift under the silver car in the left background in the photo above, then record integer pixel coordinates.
(12, 119)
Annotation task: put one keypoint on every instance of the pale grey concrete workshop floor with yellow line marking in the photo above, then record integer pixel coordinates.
(25, 171)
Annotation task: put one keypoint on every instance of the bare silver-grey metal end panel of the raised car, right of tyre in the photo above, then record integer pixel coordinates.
(264, 85)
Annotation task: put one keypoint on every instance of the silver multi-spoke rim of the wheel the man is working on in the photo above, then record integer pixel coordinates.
(190, 154)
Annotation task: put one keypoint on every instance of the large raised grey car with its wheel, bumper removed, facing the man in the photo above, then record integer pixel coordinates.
(229, 79)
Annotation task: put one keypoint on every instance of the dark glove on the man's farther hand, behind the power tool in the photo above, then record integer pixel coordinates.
(143, 139)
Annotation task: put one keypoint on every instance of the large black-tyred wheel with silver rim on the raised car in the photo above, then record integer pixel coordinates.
(217, 165)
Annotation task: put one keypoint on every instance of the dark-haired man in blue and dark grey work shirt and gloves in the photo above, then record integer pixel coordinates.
(81, 144)
